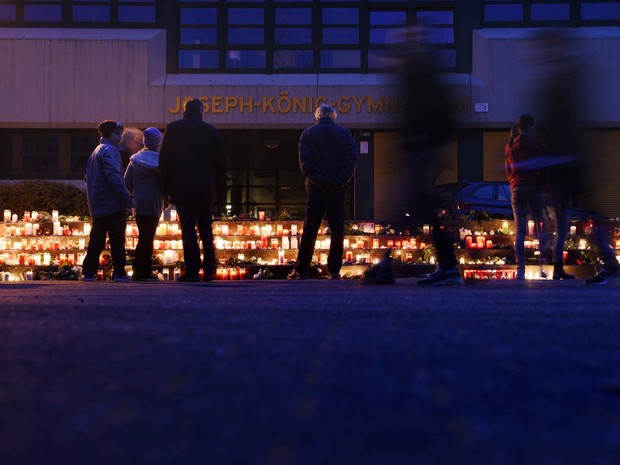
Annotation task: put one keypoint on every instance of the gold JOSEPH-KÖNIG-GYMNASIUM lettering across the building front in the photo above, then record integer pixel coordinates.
(283, 103)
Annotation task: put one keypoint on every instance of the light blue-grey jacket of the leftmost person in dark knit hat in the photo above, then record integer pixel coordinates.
(105, 187)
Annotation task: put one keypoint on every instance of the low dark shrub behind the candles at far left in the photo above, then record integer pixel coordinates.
(43, 196)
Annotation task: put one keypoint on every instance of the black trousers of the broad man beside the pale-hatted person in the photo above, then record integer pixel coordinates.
(191, 215)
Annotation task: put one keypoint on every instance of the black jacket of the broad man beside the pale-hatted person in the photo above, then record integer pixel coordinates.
(192, 160)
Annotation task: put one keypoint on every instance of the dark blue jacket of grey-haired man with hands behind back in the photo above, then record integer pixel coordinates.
(327, 151)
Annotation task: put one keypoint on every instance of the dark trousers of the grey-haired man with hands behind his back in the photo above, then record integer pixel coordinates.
(319, 204)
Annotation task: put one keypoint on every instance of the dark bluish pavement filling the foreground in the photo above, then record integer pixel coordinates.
(314, 372)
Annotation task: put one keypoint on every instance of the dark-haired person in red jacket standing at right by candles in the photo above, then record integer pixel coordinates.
(521, 167)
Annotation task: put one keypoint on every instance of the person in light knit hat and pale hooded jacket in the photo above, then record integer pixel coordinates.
(142, 179)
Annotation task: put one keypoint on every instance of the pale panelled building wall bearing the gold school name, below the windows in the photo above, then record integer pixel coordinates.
(74, 78)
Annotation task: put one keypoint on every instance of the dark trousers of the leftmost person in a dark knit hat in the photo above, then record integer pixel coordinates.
(114, 227)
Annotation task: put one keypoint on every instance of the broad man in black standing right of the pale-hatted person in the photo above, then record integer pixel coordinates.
(193, 163)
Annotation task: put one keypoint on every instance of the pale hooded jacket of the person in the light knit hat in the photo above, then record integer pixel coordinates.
(142, 179)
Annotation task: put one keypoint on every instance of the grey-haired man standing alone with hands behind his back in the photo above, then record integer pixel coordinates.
(327, 158)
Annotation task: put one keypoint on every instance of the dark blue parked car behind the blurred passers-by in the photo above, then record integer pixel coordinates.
(492, 198)
